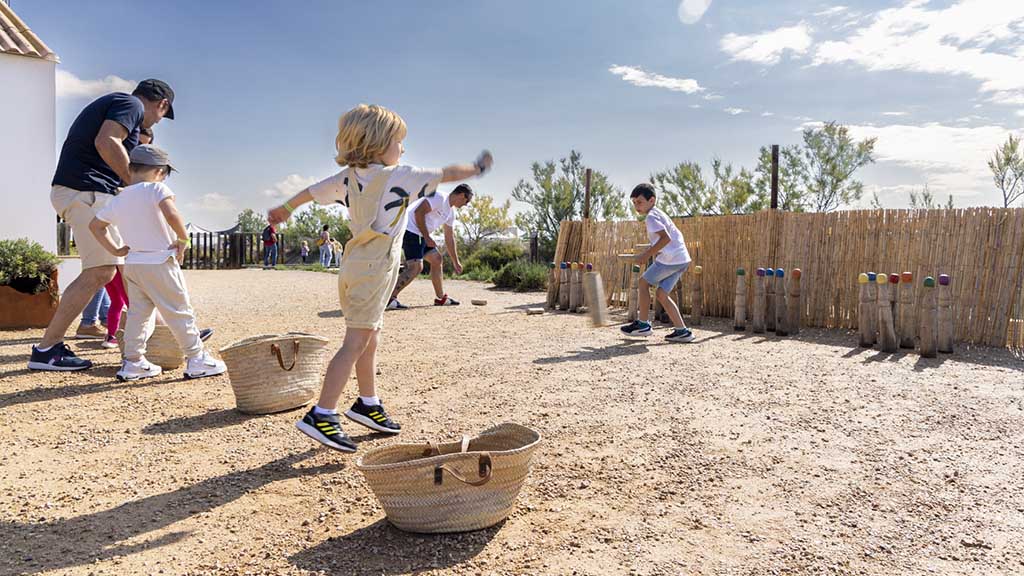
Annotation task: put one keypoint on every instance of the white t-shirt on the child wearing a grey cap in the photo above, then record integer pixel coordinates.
(144, 229)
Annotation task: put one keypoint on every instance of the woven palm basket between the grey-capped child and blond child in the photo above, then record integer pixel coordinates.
(275, 373)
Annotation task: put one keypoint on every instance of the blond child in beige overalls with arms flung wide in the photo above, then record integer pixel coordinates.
(377, 192)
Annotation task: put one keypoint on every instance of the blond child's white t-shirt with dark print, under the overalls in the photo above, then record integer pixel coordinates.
(405, 186)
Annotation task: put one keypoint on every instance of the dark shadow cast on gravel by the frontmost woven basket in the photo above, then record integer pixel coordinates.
(382, 549)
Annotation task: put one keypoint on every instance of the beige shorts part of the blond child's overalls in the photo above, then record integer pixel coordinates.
(366, 281)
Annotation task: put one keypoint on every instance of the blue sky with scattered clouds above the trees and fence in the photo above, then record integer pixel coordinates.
(636, 87)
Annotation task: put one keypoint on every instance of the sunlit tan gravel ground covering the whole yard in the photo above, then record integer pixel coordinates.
(737, 455)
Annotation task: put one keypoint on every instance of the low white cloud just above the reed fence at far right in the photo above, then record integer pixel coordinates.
(951, 159)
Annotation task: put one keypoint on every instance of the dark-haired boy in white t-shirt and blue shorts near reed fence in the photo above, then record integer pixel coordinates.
(671, 261)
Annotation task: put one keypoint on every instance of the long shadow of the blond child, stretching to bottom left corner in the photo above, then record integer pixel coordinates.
(64, 544)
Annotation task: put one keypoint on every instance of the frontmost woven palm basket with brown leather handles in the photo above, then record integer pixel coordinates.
(453, 487)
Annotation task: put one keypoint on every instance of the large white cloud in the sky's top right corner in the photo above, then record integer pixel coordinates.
(979, 39)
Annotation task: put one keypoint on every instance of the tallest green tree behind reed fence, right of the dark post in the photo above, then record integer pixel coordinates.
(831, 157)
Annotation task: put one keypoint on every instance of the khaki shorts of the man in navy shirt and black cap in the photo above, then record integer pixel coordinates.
(78, 209)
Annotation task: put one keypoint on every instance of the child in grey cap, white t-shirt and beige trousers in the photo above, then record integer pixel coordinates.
(155, 242)
